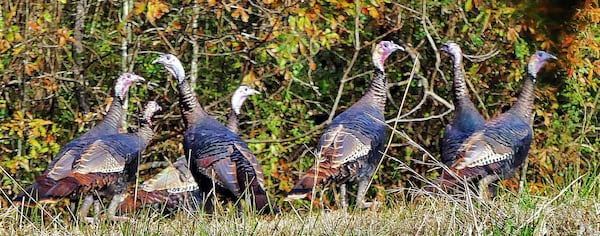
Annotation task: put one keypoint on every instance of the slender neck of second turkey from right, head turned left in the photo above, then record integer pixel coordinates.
(461, 93)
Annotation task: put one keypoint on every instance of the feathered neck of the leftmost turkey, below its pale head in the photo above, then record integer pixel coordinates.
(111, 122)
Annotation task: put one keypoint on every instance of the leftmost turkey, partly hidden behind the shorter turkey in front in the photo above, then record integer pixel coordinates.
(64, 160)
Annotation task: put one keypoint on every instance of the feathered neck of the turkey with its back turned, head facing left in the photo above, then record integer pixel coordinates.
(188, 103)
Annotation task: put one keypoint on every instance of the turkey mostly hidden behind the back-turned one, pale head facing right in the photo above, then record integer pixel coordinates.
(174, 187)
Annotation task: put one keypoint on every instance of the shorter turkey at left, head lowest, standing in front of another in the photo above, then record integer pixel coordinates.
(106, 165)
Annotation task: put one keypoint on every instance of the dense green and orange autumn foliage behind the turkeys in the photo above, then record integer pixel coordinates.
(310, 60)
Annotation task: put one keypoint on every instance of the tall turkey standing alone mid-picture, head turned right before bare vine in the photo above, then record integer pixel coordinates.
(352, 145)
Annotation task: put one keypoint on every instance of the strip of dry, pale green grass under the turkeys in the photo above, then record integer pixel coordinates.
(573, 209)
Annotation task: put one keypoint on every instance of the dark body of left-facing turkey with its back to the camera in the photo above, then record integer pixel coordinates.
(221, 159)
